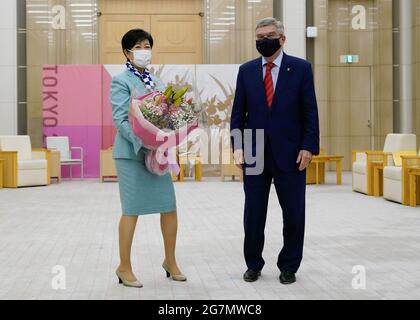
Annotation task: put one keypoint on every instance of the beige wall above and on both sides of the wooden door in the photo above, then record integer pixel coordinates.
(233, 42)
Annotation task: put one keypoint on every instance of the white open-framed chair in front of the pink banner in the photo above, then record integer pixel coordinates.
(62, 144)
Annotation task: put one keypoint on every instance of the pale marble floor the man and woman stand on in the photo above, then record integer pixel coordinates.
(60, 242)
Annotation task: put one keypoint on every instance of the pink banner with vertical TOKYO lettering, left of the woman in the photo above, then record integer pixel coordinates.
(75, 104)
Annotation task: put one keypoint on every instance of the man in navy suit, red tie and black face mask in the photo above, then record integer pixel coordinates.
(275, 93)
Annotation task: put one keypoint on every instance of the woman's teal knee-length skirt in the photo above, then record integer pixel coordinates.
(142, 192)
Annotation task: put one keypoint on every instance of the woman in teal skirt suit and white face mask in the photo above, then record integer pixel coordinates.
(141, 192)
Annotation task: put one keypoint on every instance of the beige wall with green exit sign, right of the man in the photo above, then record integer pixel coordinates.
(346, 94)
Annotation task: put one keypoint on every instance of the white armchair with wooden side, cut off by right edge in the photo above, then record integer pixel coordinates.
(396, 179)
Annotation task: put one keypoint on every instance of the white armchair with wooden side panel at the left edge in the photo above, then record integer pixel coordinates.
(23, 166)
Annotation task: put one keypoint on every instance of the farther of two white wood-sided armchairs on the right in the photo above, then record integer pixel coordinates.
(362, 176)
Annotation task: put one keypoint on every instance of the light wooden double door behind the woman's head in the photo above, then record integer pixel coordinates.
(176, 27)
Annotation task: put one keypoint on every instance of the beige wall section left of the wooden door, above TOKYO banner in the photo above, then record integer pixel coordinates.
(74, 45)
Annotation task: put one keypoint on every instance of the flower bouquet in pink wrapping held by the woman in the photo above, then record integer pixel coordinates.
(162, 120)
